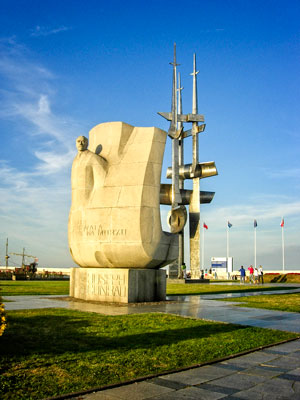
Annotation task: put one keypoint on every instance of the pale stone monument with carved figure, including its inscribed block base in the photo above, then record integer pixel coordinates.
(115, 232)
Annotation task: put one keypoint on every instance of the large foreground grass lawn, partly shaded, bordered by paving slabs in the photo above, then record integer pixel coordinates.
(55, 351)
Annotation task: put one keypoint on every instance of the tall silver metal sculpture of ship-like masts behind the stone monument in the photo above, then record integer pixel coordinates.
(175, 194)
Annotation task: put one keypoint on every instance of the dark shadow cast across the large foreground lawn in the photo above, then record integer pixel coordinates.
(58, 334)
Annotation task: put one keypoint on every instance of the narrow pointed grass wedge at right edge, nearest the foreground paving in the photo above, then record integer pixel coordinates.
(280, 302)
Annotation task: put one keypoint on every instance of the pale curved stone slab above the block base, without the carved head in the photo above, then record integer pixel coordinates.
(114, 220)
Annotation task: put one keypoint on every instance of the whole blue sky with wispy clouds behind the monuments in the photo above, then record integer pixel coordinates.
(66, 66)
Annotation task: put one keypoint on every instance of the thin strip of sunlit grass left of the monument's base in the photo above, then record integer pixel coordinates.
(22, 288)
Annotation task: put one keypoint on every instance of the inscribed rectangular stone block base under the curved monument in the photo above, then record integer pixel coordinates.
(118, 285)
